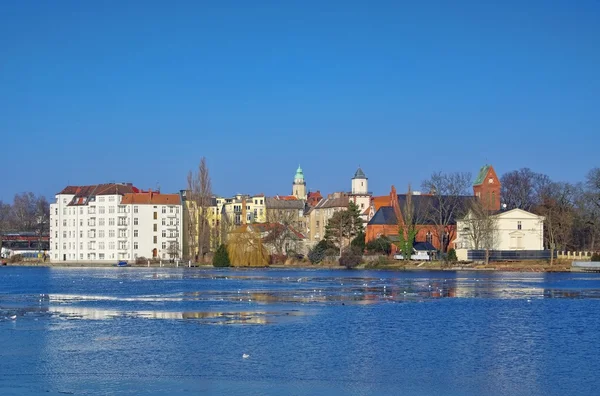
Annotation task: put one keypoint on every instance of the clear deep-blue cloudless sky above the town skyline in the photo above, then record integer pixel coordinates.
(138, 91)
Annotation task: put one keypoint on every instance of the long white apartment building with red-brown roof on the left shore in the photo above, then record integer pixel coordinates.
(116, 221)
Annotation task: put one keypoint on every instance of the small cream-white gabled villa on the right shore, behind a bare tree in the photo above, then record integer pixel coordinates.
(516, 229)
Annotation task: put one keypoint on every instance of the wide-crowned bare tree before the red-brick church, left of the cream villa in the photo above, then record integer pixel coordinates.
(449, 202)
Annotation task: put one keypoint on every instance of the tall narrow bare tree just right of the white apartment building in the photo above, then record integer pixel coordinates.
(200, 200)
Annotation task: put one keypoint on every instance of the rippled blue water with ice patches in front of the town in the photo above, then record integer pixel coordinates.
(274, 332)
